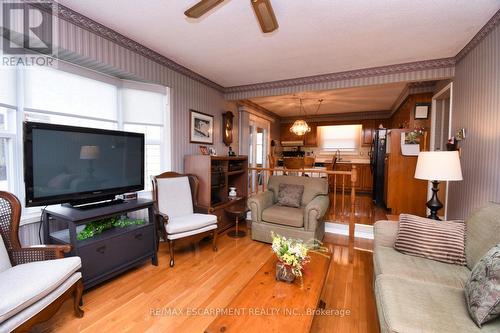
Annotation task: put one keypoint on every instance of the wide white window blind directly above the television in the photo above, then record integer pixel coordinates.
(62, 92)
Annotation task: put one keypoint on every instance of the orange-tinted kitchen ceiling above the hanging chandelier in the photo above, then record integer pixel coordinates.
(364, 99)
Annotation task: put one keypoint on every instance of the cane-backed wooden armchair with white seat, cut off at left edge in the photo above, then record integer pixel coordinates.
(34, 281)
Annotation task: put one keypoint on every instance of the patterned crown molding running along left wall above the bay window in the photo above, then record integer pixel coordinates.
(86, 23)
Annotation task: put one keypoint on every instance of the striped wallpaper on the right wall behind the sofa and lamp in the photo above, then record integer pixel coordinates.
(476, 107)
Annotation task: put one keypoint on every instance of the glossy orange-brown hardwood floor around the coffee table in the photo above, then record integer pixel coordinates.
(155, 299)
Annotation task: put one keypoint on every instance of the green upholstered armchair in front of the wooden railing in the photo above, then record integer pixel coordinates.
(305, 222)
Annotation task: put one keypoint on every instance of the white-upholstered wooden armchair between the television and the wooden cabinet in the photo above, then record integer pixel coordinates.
(177, 212)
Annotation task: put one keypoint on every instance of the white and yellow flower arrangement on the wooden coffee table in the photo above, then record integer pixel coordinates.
(291, 252)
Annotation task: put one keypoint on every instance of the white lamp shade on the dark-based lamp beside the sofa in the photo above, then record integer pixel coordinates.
(438, 165)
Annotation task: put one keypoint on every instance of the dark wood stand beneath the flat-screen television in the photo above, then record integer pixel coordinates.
(110, 253)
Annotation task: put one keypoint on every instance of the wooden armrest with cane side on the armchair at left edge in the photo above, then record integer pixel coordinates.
(39, 253)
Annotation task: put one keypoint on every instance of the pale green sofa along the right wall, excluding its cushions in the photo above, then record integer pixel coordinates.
(415, 294)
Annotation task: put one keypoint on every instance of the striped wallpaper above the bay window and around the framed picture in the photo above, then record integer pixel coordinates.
(85, 48)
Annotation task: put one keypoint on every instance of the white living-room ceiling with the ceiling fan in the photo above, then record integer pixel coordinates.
(314, 37)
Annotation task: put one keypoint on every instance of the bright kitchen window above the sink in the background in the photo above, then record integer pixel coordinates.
(345, 138)
